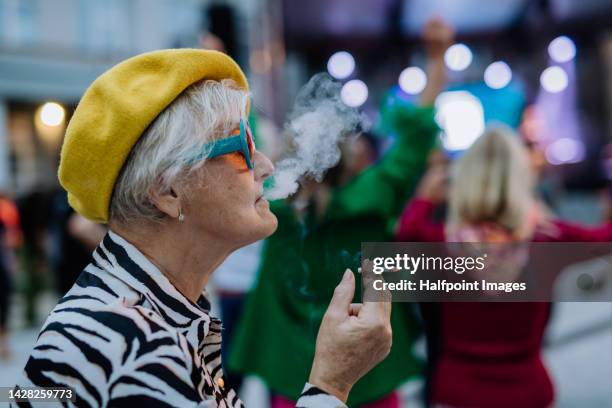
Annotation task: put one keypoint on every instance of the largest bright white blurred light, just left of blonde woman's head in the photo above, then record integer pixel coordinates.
(461, 115)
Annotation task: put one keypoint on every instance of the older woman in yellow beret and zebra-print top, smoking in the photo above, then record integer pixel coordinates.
(159, 148)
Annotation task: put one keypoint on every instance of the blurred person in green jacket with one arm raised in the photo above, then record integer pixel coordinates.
(319, 236)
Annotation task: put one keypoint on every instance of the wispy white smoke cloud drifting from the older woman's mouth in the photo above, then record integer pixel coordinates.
(318, 123)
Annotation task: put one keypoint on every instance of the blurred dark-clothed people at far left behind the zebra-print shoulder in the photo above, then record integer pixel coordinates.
(44, 245)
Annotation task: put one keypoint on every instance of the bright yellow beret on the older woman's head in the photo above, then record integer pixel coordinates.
(117, 108)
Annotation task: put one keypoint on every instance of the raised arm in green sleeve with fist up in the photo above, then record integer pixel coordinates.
(385, 187)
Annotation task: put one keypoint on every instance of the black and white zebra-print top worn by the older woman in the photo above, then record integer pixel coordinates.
(124, 335)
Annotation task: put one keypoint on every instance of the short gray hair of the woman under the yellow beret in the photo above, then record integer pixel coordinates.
(163, 156)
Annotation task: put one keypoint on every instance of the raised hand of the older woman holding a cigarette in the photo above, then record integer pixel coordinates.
(352, 339)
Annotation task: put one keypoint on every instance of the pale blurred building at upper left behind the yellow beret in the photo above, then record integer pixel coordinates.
(50, 51)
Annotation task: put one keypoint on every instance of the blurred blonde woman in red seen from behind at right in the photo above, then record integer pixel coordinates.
(488, 355)
